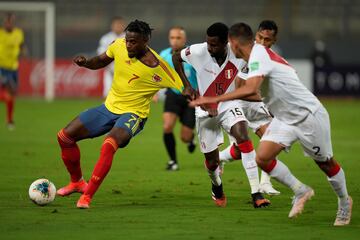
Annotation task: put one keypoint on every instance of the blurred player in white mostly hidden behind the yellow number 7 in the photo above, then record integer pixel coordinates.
(117, 31)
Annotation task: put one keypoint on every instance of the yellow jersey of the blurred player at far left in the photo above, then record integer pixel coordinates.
(10, 47)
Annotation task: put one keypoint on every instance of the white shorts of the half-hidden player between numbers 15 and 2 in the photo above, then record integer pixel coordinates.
(257, 114)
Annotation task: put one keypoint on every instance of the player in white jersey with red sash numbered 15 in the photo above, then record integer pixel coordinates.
(216, 68)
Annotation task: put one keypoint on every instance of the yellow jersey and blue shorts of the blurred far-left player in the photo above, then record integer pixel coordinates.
(10, 48)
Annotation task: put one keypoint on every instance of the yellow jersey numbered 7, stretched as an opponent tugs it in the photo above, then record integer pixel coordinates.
(134, 83)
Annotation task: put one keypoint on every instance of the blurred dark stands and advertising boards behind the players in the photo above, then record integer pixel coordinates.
(302, 23)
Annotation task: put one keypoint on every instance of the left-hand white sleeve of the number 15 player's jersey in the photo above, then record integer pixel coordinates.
(194, 54)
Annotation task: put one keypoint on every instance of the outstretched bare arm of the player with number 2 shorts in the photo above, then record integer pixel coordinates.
(250, 89)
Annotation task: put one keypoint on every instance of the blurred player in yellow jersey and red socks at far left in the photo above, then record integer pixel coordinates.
(11, 45)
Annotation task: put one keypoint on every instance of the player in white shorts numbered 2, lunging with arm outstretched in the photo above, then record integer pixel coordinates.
(298, 115)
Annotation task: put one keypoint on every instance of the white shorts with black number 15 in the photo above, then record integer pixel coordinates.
(210, 128)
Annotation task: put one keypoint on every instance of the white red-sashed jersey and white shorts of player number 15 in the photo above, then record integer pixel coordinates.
(215, 80)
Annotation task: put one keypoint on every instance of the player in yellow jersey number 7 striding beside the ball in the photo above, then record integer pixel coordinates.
(139, 73)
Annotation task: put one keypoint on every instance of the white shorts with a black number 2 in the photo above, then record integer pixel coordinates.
(313, 134)
